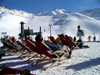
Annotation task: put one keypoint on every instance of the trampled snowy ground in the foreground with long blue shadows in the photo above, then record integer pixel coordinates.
(84, 61)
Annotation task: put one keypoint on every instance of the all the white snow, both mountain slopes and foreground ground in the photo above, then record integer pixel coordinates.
(82, 62)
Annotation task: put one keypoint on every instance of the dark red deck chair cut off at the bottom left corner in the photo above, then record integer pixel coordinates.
(4, 70)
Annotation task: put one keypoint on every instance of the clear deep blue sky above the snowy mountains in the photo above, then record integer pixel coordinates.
(34, 6)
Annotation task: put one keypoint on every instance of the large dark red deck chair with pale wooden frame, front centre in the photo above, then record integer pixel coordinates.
(41, 48)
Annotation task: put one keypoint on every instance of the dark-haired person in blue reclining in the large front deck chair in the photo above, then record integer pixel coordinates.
(39, 38)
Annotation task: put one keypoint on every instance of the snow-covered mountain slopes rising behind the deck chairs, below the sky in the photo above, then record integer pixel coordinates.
(10, 22)
